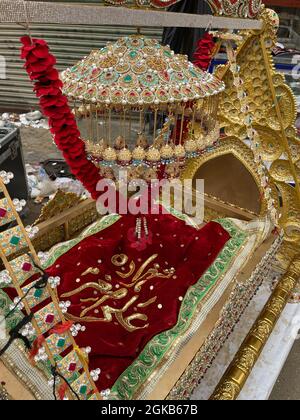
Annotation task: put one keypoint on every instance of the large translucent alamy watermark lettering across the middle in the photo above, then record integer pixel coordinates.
(137, 197)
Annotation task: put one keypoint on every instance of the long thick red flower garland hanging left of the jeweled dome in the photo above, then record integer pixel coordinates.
(48, 88)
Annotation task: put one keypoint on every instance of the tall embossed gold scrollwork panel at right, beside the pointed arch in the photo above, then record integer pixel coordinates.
(273, 109)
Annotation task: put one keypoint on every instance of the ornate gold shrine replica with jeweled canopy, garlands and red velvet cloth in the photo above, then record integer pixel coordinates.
(137, 307)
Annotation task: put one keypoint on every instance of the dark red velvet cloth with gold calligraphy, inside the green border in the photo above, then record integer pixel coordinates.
(189, 251)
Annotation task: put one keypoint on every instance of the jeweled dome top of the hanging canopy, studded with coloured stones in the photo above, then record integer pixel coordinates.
(136, 71)
